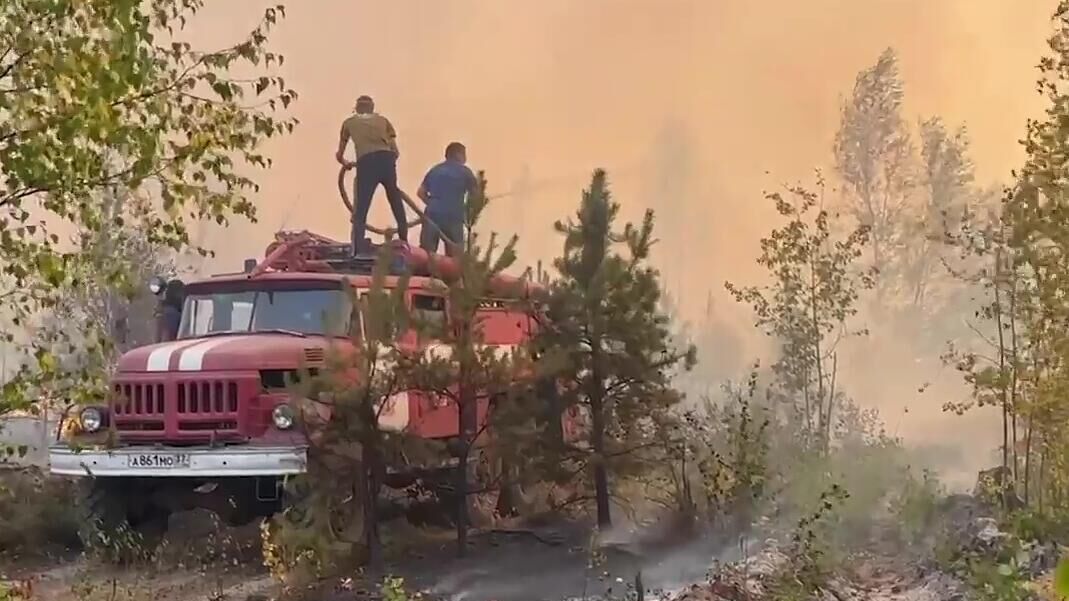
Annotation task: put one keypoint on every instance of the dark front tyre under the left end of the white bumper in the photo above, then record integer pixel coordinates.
(113, 528)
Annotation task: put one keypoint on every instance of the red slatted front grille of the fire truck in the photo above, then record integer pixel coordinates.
(189, 409)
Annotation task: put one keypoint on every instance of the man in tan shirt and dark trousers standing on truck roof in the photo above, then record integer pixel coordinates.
(375, 141)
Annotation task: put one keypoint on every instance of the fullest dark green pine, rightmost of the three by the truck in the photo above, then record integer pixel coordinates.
(608, 341)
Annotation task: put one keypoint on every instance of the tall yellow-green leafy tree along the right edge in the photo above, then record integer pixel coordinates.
(1020, 363)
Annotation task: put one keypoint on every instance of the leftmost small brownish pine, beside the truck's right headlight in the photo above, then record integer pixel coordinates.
(347, 425)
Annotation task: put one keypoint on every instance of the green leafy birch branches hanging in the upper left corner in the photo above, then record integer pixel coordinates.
(100, 96)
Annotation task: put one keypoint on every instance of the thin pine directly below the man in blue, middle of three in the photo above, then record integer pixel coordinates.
(470, 373)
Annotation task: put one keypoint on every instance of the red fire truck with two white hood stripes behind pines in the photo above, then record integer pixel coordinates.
(205, 420)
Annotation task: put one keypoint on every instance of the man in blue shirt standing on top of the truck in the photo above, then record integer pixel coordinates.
(444, 191)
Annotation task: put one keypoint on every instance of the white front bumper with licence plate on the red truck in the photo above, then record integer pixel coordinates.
(179, 463)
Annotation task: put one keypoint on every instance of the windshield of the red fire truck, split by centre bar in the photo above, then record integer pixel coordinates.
(298, 312)
